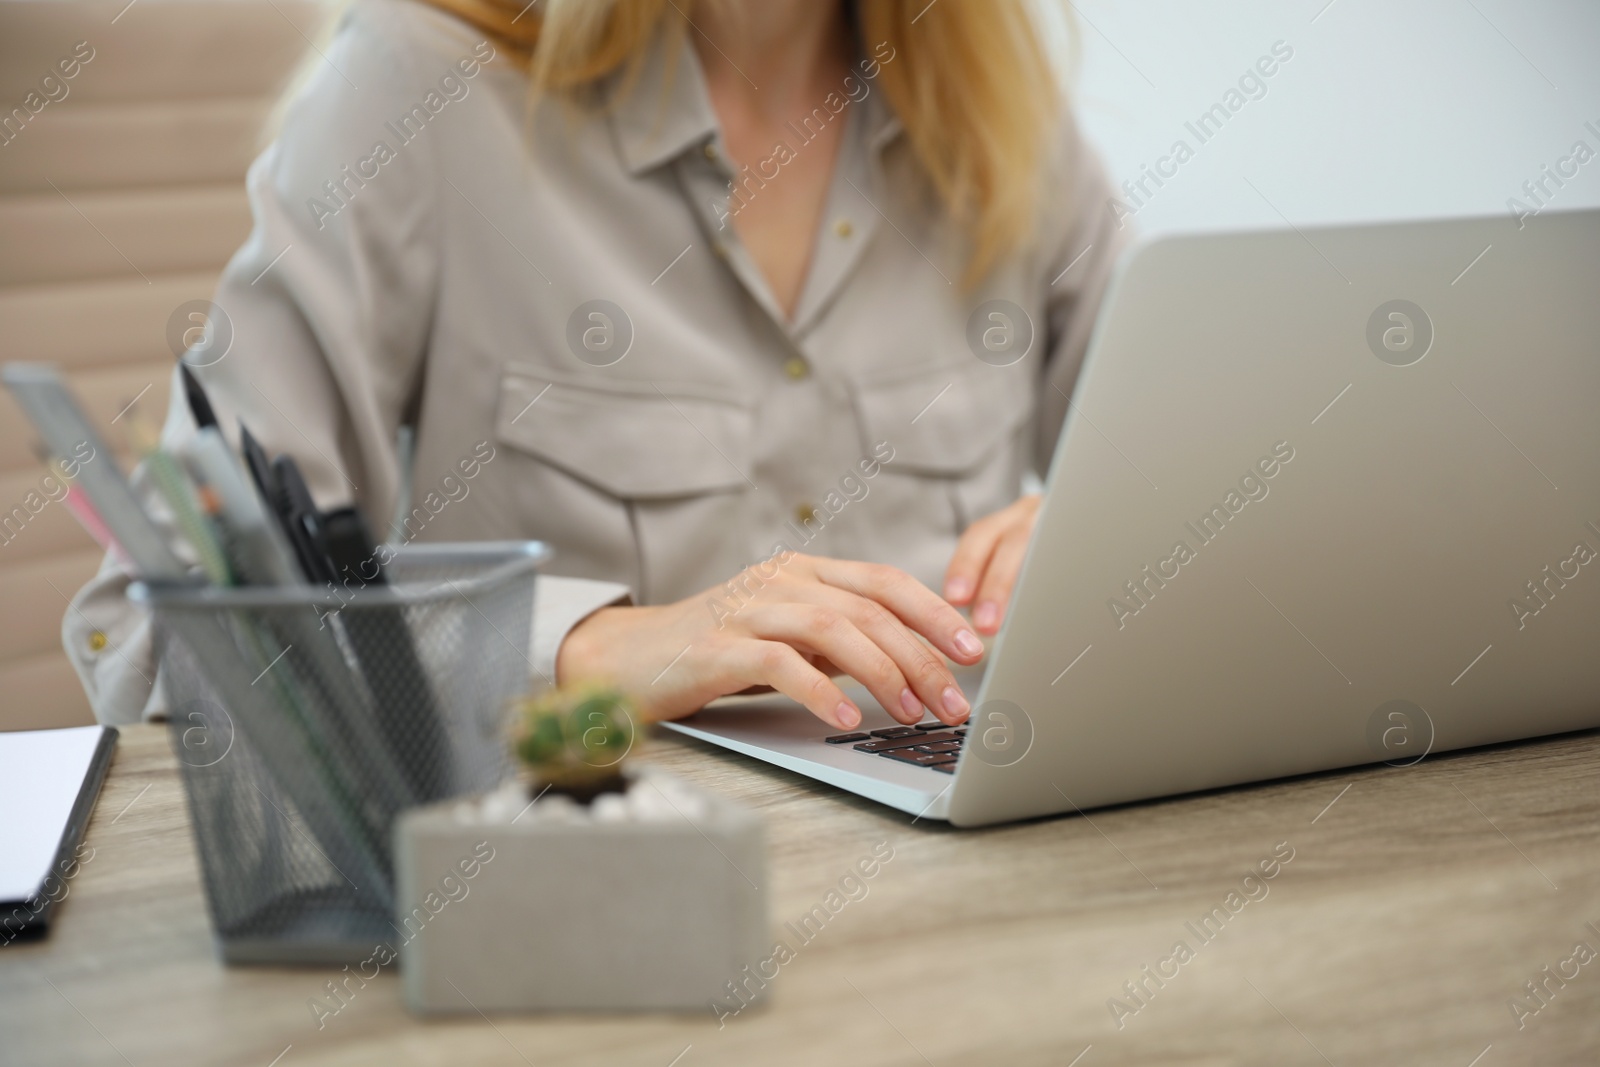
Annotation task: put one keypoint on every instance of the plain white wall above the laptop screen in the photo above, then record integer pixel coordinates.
(1388, 108)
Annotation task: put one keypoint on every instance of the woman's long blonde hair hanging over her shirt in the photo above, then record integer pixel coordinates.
(970, 84)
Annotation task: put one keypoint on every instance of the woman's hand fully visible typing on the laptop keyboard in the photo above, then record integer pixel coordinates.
(788, 623)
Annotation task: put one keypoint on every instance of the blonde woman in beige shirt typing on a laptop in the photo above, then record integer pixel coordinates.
(758, 313)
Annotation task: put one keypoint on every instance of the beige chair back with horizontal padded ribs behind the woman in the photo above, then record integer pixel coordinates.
(126, 132)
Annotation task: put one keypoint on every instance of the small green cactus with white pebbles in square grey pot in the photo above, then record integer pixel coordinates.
(598, 884)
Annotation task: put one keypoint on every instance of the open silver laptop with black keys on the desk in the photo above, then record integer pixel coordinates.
(1324, 498)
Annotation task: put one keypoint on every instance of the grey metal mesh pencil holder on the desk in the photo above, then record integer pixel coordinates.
(306, 721)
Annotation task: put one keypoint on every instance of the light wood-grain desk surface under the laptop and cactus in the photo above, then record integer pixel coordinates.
(1415, 908)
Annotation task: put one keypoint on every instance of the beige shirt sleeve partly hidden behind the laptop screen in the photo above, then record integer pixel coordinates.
(1087, 239)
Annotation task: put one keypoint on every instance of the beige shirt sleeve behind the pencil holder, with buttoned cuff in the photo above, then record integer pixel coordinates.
(322, 326)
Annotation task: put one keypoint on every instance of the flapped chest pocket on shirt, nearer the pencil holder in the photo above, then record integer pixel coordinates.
(630, 481)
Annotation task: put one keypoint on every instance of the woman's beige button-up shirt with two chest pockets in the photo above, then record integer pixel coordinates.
(564, 311)
